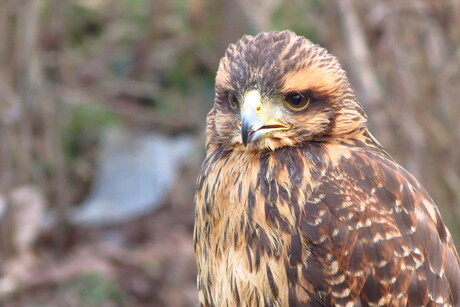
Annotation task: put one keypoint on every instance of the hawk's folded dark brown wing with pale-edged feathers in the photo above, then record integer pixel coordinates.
(380, 236)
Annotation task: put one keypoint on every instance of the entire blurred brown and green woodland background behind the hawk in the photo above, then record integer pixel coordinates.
(102, 115)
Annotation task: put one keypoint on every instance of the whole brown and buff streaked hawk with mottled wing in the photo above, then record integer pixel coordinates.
(297, 204)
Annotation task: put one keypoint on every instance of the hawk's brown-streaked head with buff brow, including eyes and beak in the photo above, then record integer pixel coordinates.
(279, 89)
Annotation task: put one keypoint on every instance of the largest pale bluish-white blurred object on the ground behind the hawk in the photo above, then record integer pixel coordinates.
(135, 172)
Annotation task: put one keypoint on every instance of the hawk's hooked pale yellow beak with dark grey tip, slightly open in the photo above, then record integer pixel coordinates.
(257, 120)
